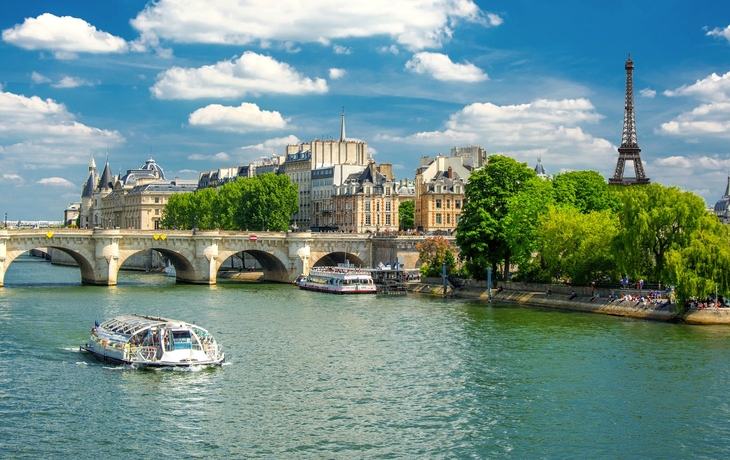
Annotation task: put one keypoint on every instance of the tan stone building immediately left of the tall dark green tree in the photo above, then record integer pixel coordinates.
(439, 192)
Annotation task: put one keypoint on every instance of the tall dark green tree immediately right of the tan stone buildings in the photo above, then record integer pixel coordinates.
(481, 229)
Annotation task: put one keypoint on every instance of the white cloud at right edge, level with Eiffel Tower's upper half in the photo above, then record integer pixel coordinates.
(712, 117)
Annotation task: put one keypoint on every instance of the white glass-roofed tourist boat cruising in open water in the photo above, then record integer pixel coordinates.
(153, 342)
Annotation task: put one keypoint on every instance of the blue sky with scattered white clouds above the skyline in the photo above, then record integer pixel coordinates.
(203, 85)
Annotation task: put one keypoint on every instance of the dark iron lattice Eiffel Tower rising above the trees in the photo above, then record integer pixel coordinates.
(629, 150)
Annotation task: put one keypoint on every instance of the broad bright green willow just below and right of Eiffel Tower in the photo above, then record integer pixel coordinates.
(654, 220)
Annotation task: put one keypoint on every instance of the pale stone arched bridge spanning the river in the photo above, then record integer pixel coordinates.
(197, 255)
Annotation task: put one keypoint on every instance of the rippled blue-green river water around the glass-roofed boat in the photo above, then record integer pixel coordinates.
(313, 375)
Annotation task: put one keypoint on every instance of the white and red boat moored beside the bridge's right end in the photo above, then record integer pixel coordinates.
(339, 280)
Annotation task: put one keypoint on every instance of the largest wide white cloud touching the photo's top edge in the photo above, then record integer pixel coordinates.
(415, 24)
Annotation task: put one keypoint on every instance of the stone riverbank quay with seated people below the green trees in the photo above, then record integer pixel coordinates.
(531, 295)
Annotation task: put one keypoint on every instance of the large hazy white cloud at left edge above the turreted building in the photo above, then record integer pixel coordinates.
(44, 132)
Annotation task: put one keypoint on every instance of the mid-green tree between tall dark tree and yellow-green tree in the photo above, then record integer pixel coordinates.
(522, 219)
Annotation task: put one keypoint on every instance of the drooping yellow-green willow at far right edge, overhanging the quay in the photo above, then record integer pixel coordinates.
(702, 267)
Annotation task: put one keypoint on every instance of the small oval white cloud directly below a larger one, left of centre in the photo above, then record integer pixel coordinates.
(244, 118)
